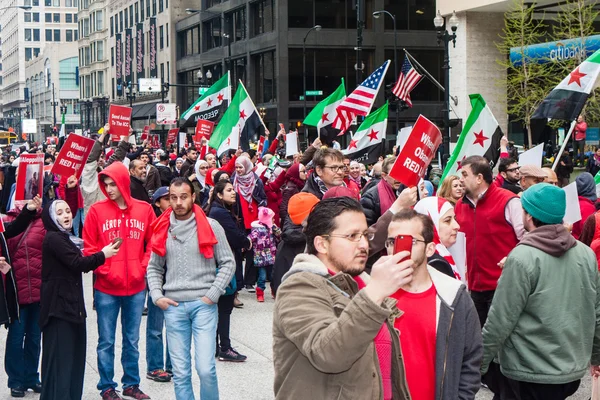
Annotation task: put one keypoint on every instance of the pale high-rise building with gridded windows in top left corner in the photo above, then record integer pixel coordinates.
(23, 36)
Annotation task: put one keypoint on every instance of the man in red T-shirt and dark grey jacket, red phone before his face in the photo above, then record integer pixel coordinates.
(441, 336)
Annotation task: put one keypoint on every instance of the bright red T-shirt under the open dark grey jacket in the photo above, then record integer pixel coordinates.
(417, 328)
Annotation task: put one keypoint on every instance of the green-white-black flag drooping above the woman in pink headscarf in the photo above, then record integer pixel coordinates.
(239, 123)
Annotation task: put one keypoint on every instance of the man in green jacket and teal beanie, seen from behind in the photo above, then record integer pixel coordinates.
(542, 323)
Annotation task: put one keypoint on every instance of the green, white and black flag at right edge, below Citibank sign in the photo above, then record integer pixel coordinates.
(566, 100)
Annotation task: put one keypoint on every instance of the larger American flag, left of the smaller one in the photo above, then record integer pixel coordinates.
(360, 100)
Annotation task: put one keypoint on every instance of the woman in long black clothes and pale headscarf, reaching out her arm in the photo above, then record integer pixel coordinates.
(62, 315)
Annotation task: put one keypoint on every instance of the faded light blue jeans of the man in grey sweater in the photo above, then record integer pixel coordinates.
(198, 320)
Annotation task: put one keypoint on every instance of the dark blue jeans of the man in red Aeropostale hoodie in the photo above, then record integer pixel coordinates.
(107, 310)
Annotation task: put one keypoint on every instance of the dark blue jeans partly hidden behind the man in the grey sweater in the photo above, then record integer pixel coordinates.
(155, 354)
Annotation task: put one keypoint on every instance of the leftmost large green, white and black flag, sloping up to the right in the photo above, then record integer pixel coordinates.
(210, 106)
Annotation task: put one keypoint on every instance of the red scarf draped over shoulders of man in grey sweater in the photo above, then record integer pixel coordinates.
(206, 236)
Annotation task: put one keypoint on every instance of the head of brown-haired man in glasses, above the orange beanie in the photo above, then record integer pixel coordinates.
(328, 173)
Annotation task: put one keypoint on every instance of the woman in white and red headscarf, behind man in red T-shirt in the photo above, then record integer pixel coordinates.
(446, 229)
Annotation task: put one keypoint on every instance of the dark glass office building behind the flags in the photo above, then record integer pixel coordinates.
(261, 43)
